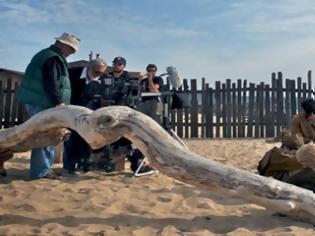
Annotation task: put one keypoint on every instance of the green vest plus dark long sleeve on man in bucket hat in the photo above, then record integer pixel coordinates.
(47, 63)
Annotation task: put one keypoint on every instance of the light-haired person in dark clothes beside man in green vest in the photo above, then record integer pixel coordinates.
(76, 150)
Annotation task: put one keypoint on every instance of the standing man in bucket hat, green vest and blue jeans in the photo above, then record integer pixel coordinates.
(45, 85)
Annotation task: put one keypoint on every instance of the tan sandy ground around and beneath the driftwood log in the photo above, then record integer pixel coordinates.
(96, 203)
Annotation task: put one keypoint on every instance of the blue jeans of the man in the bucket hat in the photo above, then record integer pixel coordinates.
(42, 159)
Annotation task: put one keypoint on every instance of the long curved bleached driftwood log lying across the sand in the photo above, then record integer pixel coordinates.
(107, 125)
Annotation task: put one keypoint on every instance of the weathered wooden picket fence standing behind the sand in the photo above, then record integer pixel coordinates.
(229, 110)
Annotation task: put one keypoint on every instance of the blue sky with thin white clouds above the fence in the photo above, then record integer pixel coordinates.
(214, 39)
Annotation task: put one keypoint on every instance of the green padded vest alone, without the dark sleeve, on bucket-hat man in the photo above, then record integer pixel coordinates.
(31, 90)
